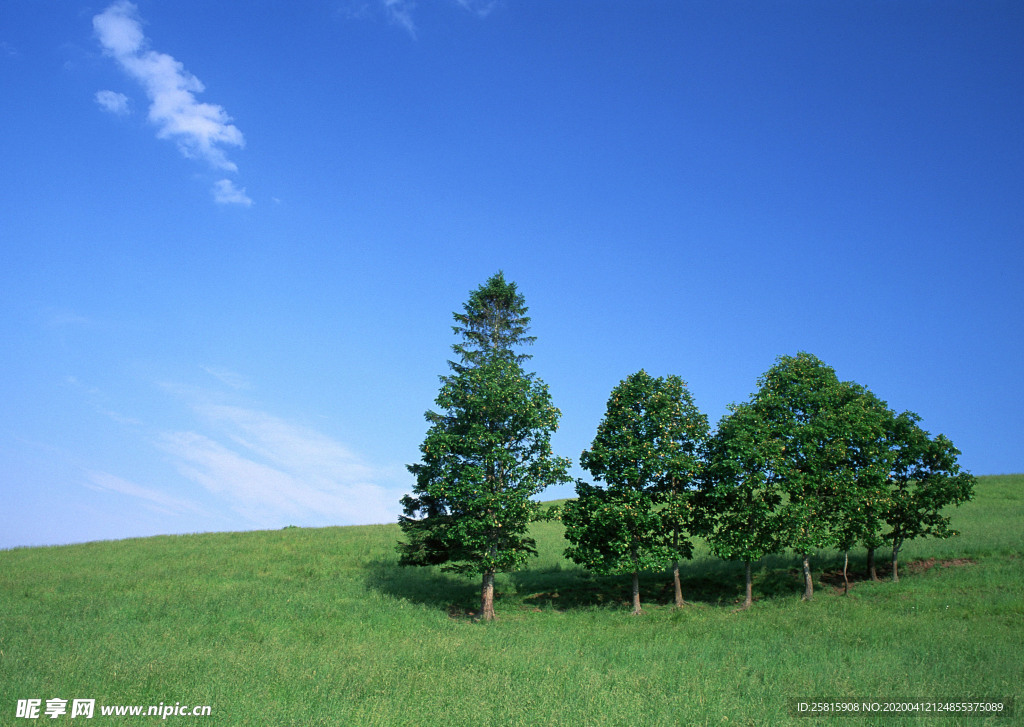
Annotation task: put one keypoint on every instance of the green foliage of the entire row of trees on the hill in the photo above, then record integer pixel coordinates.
(809, 463)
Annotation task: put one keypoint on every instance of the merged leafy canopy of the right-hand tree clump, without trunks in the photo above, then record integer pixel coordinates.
(813, 462)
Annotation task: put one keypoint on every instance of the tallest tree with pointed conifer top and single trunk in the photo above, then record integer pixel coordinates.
(487, 455)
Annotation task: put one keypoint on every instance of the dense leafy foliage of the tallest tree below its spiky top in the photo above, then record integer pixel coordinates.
(482, 464)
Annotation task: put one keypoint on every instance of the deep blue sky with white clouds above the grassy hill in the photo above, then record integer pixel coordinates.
(234, 235)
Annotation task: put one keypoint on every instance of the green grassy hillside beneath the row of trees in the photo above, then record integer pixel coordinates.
(319, 627)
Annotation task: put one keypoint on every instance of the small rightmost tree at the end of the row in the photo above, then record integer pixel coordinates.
(925, 480)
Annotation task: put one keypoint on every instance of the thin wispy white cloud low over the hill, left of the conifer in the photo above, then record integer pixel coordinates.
(248, 462)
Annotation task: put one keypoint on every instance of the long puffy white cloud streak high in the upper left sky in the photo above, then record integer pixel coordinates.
(201, 131)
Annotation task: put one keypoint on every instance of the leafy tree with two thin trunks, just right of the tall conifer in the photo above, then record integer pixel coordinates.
(648, 452)
